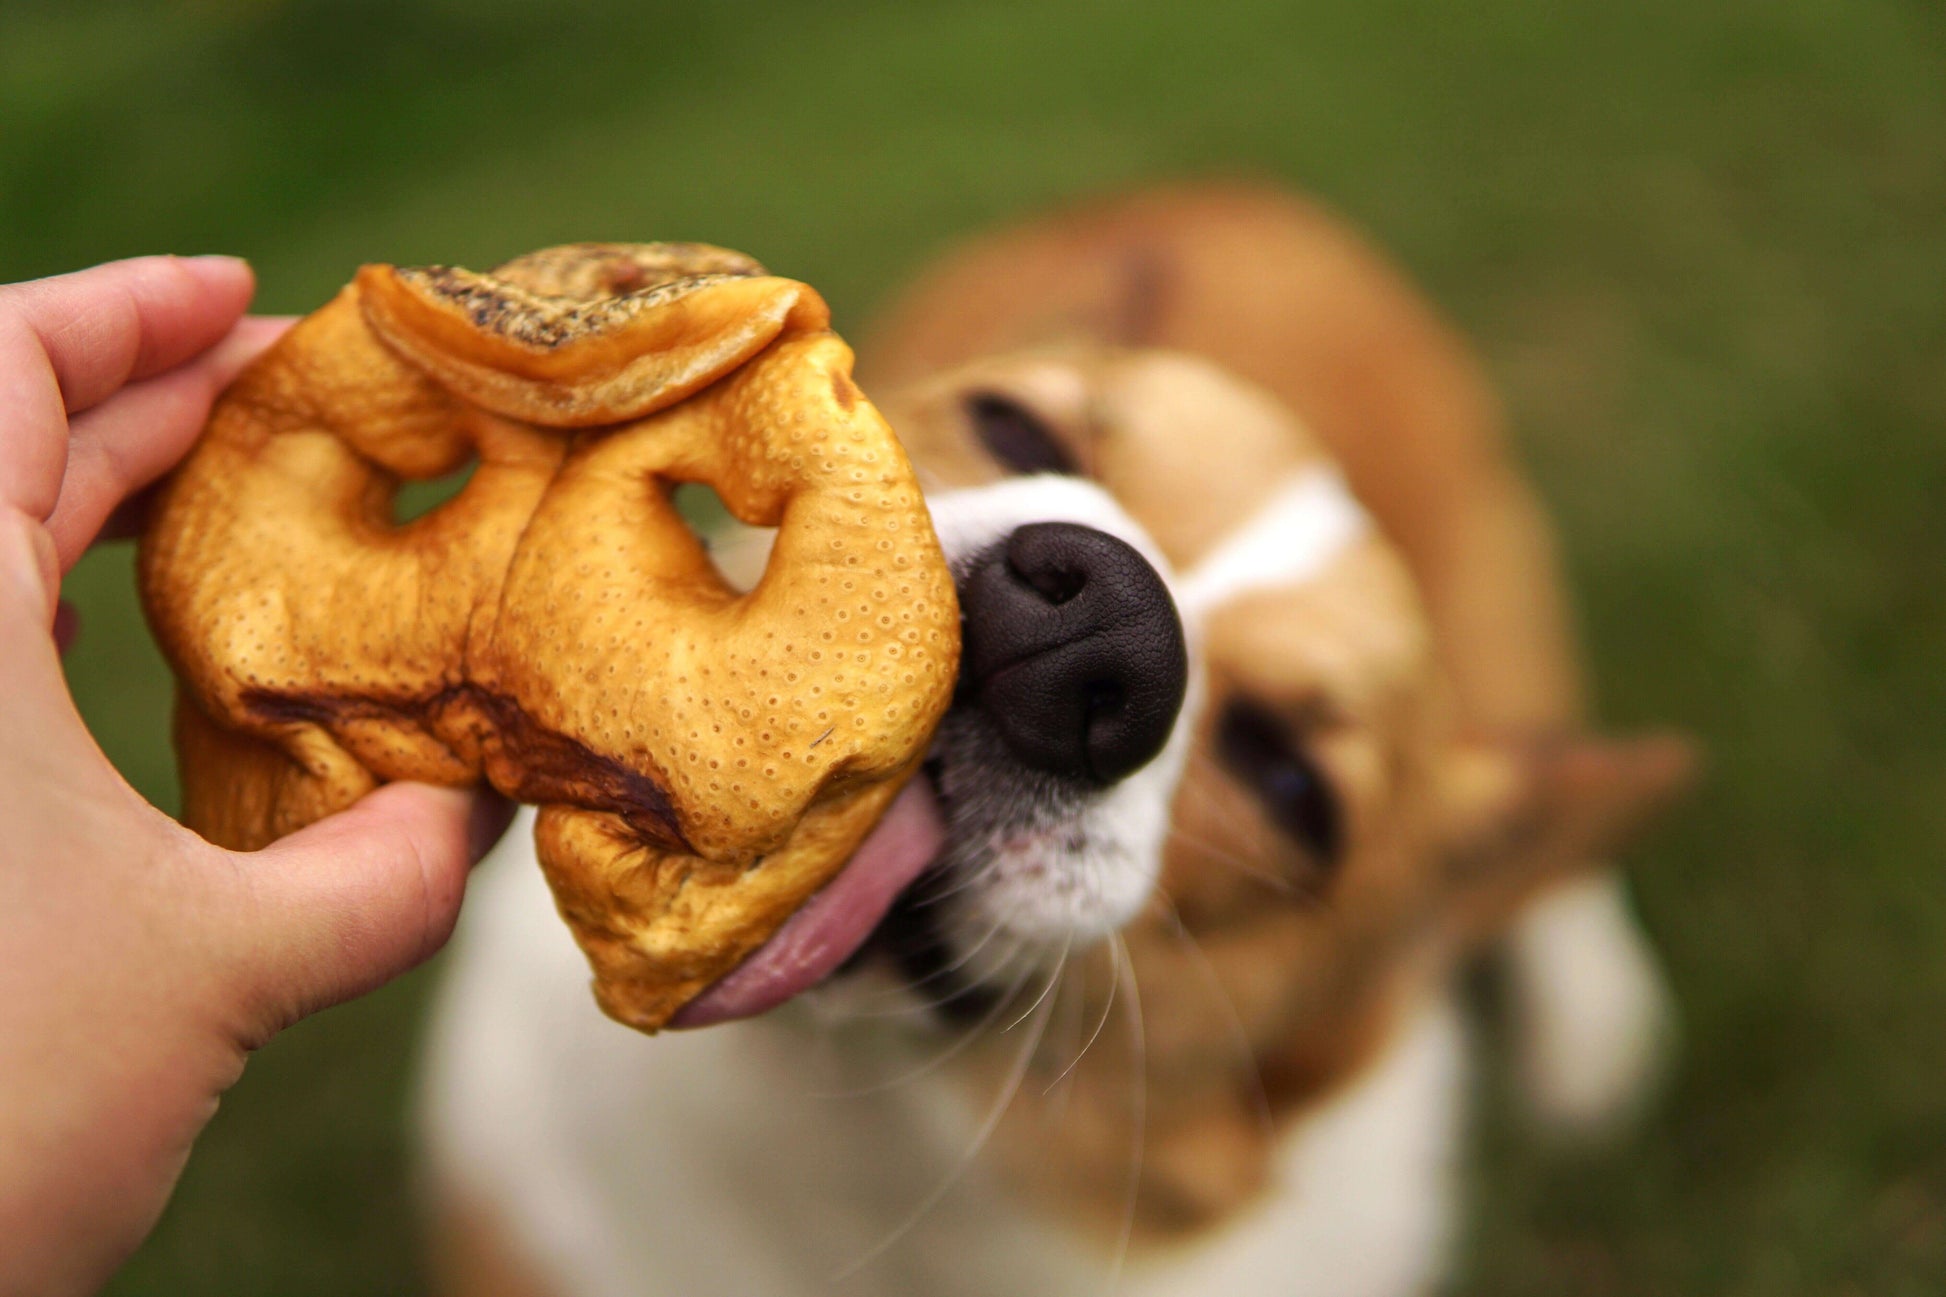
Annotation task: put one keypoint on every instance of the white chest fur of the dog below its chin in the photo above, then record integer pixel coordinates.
(772, 1158)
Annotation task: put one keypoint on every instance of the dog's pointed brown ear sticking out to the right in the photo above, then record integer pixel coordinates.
(1523, 815)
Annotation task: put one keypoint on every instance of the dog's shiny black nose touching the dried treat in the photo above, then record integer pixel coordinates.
(1075, 651)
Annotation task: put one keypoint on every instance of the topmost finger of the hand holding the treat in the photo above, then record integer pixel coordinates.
(75, 340)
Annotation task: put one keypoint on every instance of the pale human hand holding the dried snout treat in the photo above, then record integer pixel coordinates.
(139, 965)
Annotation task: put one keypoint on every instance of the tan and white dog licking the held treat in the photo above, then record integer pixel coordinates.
(1268, 725)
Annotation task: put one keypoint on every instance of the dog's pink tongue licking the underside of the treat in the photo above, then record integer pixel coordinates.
(832, 924)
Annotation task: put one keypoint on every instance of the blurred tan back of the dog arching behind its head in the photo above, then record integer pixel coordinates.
(1279, 293)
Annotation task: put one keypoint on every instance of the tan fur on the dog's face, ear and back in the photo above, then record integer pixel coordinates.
(1194, 350)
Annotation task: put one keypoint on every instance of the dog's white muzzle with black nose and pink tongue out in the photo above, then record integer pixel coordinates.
(1046, 794)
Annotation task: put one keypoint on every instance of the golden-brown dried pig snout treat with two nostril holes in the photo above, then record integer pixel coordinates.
(705, 760)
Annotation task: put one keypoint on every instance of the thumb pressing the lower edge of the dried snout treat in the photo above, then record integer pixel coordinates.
(363, 897)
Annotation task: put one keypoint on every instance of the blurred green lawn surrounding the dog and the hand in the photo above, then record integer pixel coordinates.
(1702, 246)
